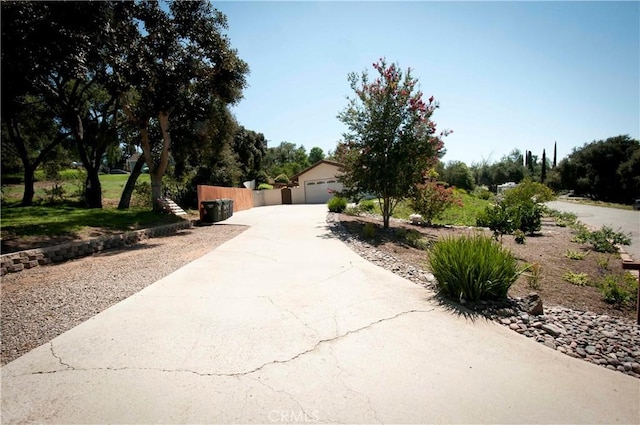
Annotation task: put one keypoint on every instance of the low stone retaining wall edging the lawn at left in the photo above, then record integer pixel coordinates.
(18, 261)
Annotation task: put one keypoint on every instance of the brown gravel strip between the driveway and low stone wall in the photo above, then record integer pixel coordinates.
(41, 303)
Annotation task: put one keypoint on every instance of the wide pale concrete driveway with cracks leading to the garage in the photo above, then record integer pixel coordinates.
(285, 324)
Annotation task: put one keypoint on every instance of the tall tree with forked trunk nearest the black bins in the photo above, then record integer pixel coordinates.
(180, 60)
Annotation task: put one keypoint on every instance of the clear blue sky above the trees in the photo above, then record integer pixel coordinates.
(507, 74)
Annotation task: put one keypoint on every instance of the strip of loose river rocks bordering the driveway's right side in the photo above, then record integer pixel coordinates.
(611, 342)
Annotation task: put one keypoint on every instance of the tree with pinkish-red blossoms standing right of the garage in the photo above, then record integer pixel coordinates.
(391, 141)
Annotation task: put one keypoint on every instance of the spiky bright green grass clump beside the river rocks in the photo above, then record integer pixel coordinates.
(473, 268)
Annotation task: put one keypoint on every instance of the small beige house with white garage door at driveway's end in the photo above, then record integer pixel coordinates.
(319, 181)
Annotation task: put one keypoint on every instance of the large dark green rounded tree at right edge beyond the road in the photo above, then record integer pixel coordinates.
(603, 170)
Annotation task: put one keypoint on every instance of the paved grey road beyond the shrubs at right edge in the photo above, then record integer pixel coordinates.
(627, 221)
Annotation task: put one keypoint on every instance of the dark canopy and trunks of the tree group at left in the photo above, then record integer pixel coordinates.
(100, 72)
